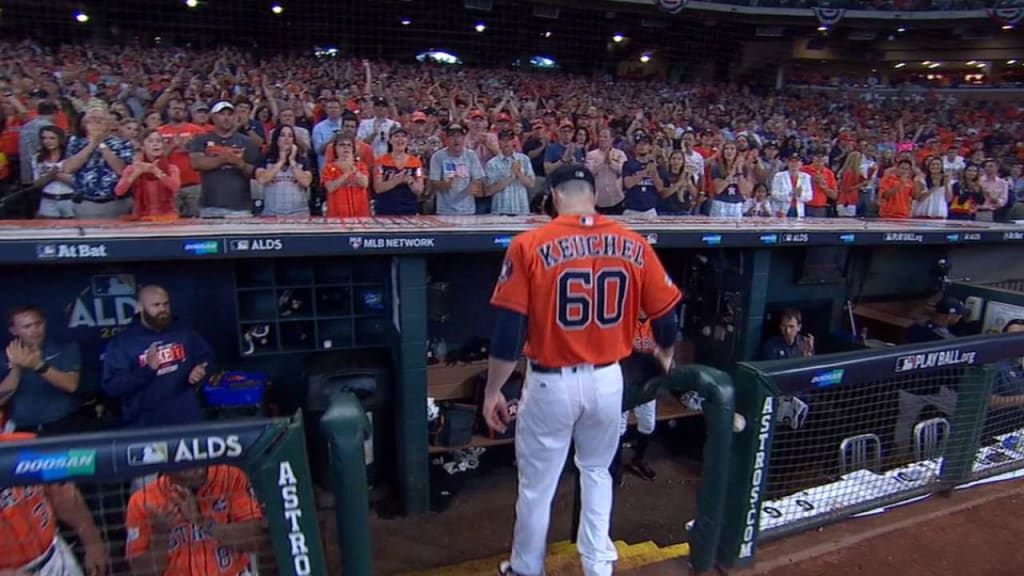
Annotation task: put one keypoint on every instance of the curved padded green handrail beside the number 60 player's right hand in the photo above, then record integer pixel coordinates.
(716, 388)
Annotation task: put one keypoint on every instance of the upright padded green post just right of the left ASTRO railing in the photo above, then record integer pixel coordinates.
(347, 428)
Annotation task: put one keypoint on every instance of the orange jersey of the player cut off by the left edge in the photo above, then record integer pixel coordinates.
(27, 522)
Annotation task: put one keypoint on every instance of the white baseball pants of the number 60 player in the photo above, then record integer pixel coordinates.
(582, 405)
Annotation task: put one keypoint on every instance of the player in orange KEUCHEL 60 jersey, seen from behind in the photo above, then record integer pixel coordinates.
(574, 291)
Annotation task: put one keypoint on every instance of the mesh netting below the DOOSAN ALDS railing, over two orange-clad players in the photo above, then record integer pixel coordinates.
(196, 522)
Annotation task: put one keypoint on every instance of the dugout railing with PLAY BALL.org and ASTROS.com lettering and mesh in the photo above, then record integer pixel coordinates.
(833, 437)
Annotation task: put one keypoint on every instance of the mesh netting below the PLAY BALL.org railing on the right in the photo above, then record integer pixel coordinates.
(841, 450)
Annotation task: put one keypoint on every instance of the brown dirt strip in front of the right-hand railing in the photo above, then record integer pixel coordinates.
(976, 533)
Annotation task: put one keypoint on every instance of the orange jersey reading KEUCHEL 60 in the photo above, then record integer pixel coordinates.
(583, 282)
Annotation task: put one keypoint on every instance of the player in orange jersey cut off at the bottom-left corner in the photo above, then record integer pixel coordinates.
(29, 540)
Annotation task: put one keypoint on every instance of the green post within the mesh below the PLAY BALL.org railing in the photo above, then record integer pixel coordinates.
(966, 426)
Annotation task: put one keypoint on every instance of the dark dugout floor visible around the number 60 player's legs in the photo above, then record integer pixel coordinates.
(479, 524)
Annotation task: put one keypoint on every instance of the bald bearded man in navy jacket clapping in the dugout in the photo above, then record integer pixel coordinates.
(154, 367)
